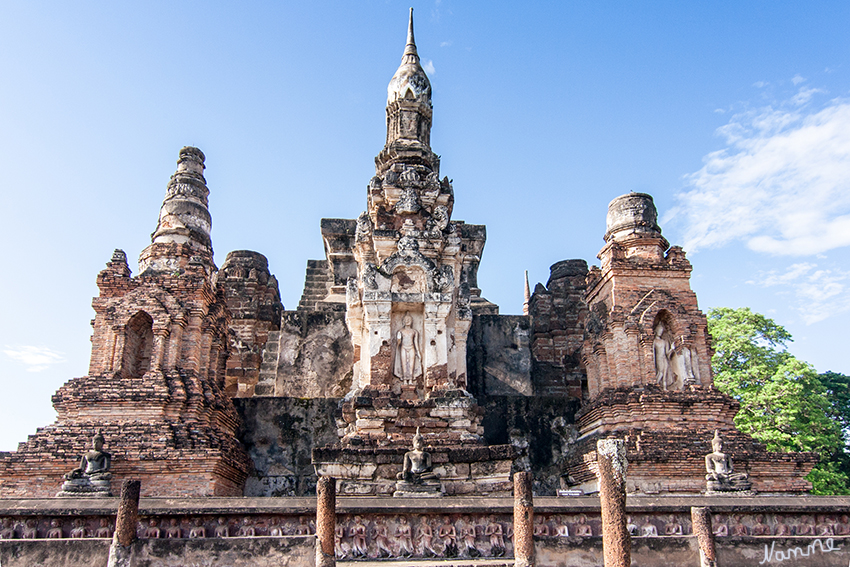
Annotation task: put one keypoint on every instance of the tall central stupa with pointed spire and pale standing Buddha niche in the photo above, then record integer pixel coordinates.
(409, 303)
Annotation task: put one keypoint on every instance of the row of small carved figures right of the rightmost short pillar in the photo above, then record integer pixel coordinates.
(819, 525)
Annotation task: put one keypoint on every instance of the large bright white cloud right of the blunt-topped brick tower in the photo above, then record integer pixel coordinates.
(781, 185)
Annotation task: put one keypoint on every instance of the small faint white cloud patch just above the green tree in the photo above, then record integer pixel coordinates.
(818, 292)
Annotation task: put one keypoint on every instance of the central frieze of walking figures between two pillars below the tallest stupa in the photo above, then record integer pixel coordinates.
(398, 537)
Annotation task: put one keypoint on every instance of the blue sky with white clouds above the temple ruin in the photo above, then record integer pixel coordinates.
(734, 115)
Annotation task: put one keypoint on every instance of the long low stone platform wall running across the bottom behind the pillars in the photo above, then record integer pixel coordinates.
(750, 524)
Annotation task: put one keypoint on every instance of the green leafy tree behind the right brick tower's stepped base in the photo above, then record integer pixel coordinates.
(785, 404)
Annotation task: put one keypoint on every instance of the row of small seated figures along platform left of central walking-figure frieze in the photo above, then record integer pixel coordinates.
(150, 528)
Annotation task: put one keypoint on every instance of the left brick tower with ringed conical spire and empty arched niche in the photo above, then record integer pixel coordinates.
(155, 386)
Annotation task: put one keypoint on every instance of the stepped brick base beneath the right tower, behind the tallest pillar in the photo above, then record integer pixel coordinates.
(668, 434)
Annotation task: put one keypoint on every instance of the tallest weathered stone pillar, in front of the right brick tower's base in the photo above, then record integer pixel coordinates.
(611, 464)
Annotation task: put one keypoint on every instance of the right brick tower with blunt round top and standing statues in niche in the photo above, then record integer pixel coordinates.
(647, 355)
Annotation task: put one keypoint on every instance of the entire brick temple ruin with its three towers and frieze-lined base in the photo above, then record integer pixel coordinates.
(203, 385)
